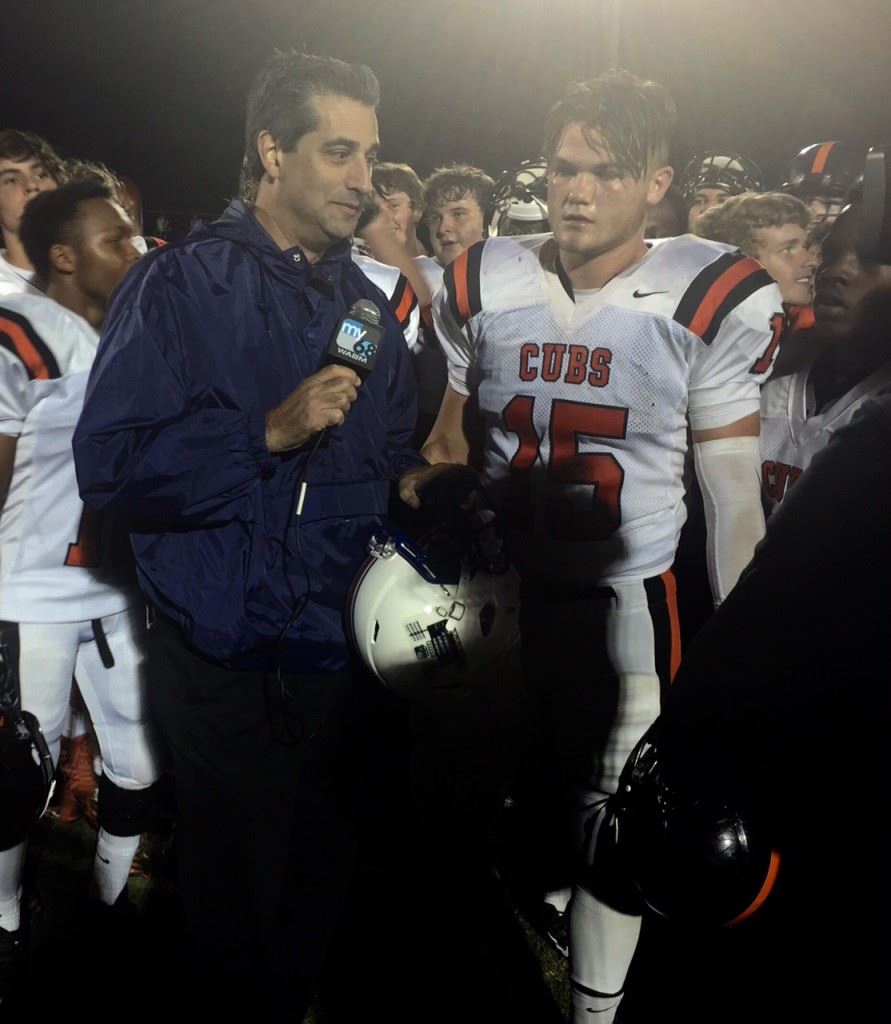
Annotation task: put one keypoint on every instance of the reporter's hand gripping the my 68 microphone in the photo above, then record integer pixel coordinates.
(321, 401)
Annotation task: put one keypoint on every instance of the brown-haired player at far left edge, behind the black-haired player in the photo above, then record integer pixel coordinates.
(28, 166)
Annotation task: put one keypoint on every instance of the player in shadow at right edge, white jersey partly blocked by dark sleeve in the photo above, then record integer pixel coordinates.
(802, 411)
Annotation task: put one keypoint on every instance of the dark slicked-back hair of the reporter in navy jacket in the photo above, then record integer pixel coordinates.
(280, 102)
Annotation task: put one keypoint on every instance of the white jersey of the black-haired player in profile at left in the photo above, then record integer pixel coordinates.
(54, 566)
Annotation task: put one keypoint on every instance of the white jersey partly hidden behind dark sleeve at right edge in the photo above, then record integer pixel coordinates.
(792, 435)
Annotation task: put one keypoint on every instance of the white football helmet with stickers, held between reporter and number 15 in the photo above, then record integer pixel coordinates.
(432, 619)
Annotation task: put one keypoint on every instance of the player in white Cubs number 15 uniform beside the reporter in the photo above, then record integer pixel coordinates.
(586, 354)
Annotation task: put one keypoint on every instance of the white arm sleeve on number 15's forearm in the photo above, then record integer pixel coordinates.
(730, 474)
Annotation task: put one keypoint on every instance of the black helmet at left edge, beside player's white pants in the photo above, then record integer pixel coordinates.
(26, 764)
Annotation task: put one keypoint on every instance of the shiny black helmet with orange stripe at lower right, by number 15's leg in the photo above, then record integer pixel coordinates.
(695, 860)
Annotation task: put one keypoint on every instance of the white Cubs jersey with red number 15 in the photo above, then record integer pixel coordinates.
(586, 398)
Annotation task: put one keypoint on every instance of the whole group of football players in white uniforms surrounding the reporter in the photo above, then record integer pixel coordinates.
(732, 333)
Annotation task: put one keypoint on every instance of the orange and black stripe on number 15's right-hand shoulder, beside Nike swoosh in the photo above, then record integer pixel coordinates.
(717, 290)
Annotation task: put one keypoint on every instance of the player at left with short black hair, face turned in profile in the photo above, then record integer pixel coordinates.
(67, 604)
